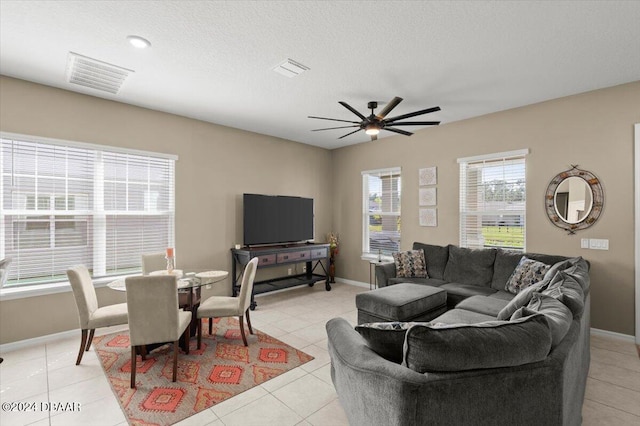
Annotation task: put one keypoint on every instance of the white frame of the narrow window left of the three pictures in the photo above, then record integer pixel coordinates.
(367, 254)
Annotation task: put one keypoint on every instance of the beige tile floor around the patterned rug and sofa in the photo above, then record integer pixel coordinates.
(303, 396)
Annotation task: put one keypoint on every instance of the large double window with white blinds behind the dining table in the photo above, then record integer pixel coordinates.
(67, 203)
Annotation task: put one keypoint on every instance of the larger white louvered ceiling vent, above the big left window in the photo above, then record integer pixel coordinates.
(95, 74)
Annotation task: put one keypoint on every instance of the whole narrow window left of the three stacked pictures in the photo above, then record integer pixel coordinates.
(381, 190)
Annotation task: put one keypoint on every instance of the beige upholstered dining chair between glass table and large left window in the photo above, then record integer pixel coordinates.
(91, 316)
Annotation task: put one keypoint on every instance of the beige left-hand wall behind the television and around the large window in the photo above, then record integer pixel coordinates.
(216, 166)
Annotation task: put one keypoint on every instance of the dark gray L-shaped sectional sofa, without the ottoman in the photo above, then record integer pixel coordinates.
(492, 358)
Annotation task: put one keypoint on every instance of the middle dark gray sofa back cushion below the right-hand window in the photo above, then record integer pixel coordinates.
(470, 266)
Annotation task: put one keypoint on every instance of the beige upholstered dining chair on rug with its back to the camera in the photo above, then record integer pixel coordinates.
(154, 316)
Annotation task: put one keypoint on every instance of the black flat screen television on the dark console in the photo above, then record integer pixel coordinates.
(276, 219)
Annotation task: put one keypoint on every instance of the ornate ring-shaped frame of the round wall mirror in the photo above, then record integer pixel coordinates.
(597, 194)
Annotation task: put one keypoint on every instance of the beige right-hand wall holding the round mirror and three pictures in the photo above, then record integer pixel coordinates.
(593, 130)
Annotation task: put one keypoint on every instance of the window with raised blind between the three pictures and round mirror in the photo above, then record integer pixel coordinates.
(492, 200)
